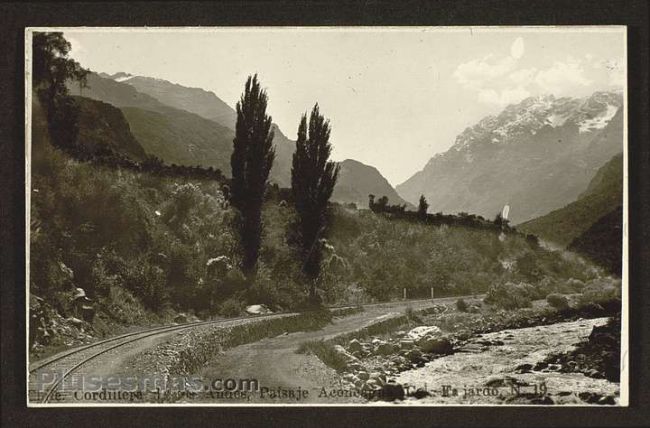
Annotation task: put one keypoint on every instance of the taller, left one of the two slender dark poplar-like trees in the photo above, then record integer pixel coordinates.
(251, 161)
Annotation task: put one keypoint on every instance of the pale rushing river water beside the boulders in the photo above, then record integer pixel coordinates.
(484, 374)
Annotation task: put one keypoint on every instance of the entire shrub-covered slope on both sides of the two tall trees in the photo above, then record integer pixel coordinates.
(142, 245)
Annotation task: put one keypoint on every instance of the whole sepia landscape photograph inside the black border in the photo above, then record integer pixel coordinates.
(326, 216)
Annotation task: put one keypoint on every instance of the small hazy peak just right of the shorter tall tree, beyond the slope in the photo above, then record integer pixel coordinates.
(357, 181)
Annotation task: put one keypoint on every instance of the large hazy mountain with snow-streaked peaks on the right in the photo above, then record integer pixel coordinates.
(536, 156)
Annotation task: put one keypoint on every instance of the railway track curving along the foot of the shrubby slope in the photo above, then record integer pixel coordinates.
(47, 377)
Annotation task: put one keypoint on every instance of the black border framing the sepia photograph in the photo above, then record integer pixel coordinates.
(16, 16)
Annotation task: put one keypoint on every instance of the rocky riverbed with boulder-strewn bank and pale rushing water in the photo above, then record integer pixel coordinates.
(384, 367)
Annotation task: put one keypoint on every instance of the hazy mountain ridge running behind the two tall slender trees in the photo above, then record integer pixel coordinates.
(191, 126)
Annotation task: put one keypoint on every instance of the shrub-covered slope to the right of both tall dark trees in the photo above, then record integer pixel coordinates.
(377, 256)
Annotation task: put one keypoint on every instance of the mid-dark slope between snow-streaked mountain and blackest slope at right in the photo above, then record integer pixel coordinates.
(604, 195)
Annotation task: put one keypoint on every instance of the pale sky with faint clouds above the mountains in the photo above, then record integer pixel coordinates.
(394, 96)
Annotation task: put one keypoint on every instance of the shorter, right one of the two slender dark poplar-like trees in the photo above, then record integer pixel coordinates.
(313, 177)
